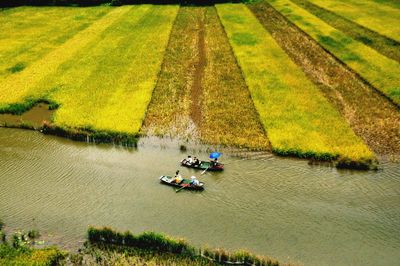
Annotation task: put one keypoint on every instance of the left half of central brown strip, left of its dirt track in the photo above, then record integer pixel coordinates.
(168, 113)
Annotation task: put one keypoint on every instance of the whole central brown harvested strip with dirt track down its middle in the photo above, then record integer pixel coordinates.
(201, 92)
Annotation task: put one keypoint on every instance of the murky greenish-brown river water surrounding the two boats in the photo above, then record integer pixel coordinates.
(283, 208)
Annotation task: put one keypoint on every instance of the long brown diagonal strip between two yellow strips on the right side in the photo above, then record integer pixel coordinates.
(372, 117)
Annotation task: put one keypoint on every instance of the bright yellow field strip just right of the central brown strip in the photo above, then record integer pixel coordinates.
(298, 119)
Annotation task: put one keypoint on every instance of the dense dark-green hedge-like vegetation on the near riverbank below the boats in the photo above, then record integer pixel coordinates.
(153, 246)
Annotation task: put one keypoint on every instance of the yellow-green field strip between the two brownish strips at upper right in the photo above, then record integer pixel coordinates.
(378, 70)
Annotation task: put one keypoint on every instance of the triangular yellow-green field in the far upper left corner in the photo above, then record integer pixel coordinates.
(29, 33)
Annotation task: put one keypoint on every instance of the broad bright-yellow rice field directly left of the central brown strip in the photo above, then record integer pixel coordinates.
(117, 57)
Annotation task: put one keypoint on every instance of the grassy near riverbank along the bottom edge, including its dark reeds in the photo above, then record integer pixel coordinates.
(108, 247)
